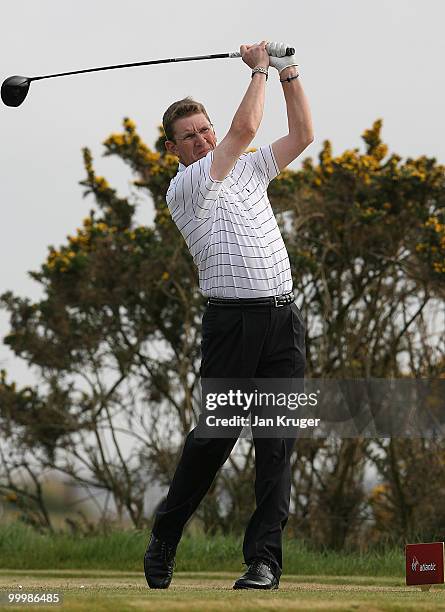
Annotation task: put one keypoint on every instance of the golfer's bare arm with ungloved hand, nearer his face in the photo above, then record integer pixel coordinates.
(247, 118)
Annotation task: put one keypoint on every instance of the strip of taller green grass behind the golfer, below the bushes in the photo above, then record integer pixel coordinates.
(23, 548)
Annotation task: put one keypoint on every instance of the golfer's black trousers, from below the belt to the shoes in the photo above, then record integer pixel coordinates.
(241, 342)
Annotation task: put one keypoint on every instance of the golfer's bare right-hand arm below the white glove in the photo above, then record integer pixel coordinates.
(300, 135)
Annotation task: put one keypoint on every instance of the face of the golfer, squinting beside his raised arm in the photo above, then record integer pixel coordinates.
(194, 138)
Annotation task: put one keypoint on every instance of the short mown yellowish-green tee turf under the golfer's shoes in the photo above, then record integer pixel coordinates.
(85, 590)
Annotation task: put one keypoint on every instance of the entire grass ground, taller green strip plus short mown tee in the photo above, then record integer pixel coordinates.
(86, 575)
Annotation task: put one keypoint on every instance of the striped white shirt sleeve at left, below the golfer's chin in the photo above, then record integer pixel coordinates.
(194, 192)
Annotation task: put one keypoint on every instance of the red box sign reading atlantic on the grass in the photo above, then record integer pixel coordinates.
(424, 563)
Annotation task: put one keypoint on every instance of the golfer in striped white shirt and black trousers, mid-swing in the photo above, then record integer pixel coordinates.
(251, 327)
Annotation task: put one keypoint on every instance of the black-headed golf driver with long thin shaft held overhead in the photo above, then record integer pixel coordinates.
(15, 89)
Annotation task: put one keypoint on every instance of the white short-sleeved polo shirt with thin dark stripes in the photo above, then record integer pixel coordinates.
(230, 228)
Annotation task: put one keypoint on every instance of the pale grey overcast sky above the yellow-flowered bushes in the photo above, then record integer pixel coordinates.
(359, 61)
